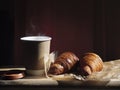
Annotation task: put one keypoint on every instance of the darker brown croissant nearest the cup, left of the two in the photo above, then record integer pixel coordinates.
(63, 63)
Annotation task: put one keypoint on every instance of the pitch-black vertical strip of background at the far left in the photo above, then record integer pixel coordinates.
(6, 32)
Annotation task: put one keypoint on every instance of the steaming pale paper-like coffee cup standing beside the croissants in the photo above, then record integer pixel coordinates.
(35, 48)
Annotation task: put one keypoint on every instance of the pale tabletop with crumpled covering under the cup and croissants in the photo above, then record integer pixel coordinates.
(107, 78)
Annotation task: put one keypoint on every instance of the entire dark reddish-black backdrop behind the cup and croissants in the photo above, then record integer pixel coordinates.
(75, 25)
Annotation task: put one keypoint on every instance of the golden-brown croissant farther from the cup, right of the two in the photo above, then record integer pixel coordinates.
(90, 63)
